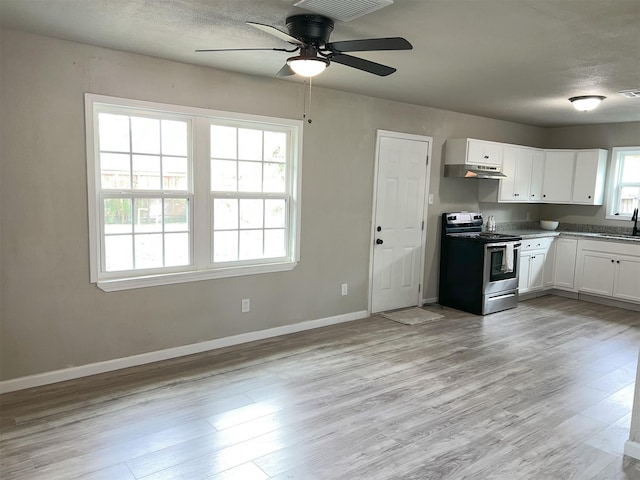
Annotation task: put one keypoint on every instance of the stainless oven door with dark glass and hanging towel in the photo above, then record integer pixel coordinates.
(501, 266)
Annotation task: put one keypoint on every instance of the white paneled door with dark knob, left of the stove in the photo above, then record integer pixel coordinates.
(398, 239)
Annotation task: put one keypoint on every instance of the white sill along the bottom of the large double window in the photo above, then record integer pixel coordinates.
(117, 284)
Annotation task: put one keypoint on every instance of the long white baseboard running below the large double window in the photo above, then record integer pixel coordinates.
(175, 352)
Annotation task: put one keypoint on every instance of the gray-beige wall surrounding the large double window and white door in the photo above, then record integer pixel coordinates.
(51, 317)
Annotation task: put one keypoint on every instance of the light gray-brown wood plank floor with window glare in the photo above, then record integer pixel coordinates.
(543, 391)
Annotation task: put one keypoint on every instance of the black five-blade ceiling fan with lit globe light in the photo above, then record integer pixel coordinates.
(309, 34)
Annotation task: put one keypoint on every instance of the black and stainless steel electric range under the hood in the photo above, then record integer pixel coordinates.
(478, 270)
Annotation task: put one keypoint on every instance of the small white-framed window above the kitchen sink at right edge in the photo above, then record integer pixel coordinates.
(624, 182)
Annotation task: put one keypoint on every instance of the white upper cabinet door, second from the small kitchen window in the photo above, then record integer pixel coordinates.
(557, 181)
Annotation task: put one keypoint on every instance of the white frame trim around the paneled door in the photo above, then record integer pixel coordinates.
(405, 136)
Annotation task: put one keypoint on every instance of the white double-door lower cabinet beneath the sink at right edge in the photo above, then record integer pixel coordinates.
(609, 269)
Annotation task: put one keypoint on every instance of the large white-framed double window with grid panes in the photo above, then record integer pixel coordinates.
(179, 194)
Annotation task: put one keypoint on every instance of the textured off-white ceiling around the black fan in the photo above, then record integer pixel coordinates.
(517, 60)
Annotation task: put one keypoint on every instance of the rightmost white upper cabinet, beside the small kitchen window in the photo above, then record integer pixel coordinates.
(588, 182)
